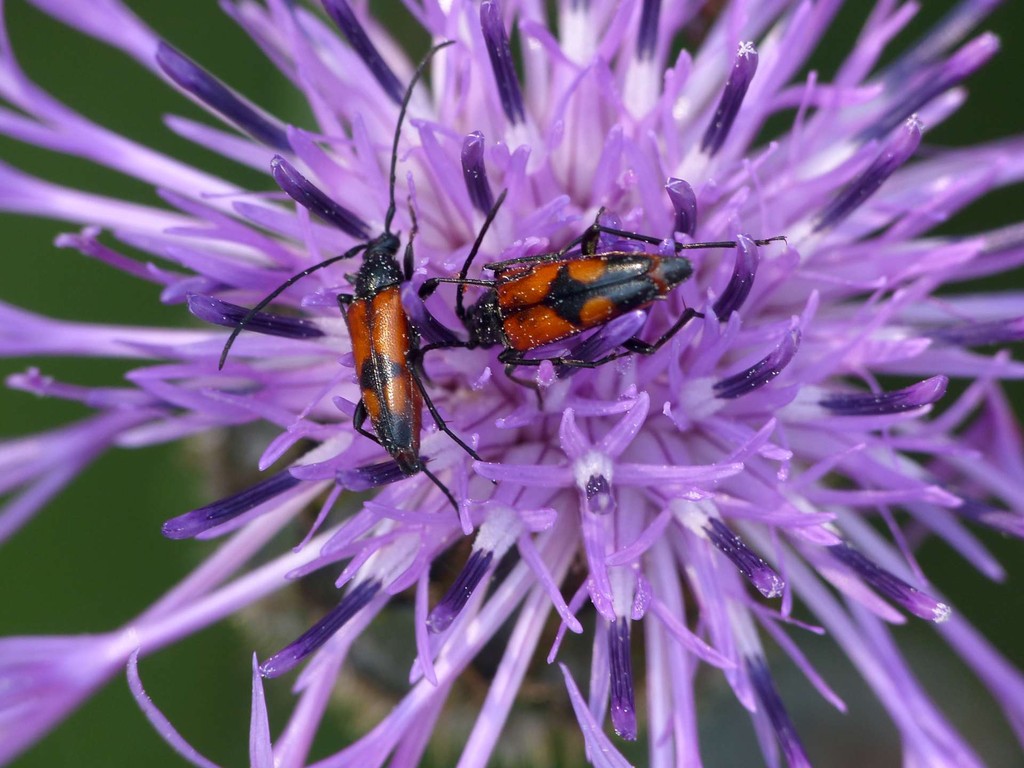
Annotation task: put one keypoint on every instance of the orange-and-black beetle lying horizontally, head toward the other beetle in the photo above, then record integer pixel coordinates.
(534, 302)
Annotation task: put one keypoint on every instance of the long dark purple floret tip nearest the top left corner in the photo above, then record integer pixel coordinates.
(191, 77)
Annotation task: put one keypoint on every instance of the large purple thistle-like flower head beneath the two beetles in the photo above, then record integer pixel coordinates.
(672, 509)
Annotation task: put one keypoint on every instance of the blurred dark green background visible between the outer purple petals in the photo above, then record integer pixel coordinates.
(95, 558)
